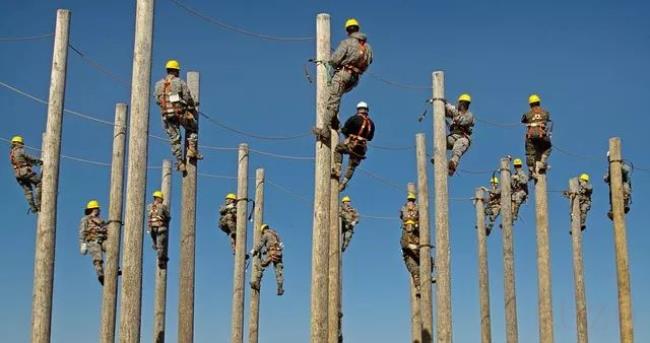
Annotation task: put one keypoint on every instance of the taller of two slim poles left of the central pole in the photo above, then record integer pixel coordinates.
(237, 328)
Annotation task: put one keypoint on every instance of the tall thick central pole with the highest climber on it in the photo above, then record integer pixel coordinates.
(320, 236)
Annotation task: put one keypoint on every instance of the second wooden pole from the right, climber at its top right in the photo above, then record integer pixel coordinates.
(578, 267)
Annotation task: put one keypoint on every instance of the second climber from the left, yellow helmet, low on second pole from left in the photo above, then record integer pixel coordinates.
(92, 235)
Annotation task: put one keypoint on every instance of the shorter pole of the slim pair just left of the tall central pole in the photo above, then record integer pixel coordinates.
(258, 219)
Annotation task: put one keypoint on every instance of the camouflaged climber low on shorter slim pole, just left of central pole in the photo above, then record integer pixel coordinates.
(270, 248)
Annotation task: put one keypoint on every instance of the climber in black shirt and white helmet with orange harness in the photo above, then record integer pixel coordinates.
(358, 131)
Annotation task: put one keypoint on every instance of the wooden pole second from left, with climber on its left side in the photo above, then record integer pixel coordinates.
(109, 295)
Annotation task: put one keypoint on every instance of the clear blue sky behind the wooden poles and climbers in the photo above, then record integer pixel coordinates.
(587, 60)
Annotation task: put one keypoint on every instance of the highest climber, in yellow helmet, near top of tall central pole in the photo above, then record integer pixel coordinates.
(350, 60)
